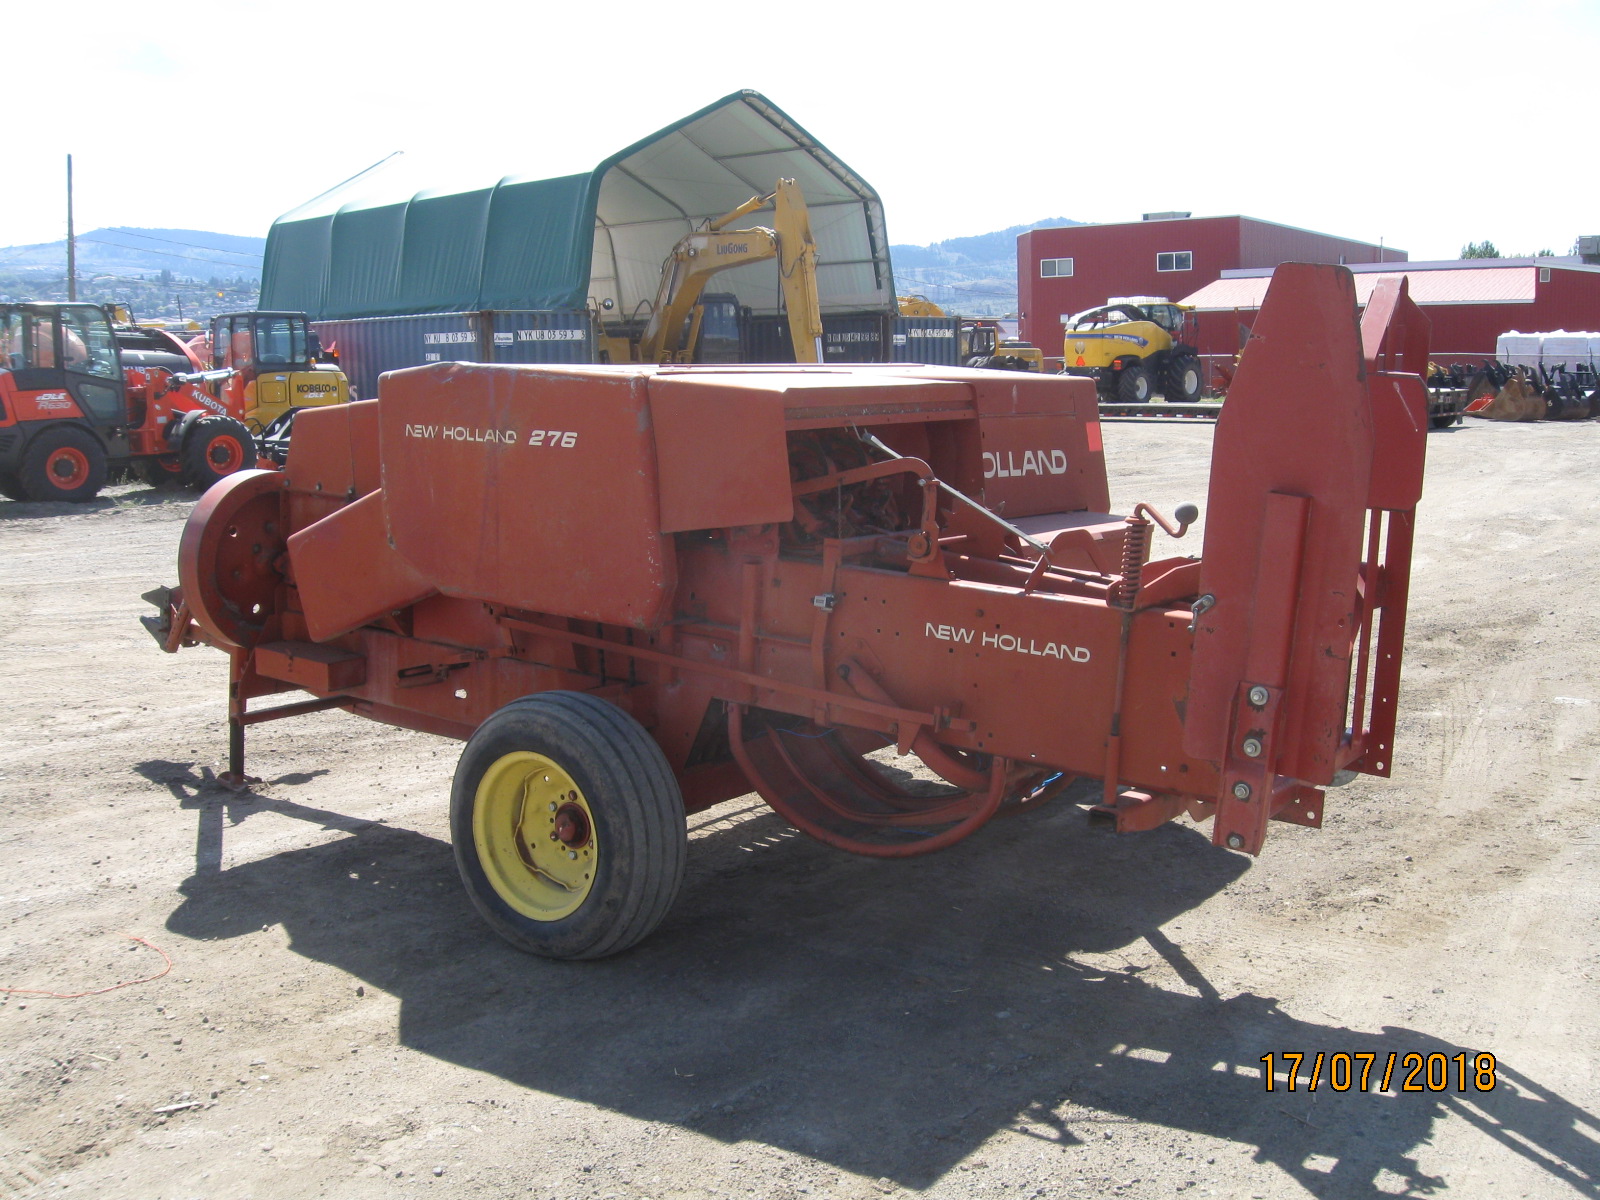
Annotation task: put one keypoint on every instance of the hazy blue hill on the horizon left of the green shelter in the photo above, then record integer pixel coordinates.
(142, 254)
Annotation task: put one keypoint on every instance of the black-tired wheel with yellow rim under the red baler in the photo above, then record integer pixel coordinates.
(617, 783)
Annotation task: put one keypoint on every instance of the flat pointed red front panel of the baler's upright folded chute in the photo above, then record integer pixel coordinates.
(1310, 439)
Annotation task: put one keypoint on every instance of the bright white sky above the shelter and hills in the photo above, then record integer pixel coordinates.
(1425, 126)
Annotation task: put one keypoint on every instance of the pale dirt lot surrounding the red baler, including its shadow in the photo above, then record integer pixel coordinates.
(1046, 1010)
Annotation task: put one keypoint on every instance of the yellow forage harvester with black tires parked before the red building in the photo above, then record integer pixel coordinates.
(1134, 348)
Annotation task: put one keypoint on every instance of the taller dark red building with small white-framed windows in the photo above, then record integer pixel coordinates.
(1074, 268)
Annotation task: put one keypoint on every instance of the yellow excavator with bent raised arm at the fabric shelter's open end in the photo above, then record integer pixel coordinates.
(674, 327)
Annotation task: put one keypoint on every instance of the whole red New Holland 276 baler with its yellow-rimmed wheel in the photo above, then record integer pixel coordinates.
(638, 593)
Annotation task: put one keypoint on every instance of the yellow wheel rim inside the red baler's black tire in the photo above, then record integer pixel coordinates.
(535, 836)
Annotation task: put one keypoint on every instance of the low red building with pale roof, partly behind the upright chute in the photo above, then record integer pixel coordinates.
(1470, 302)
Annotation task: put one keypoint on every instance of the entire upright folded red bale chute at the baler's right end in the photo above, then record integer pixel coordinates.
(1316, 474)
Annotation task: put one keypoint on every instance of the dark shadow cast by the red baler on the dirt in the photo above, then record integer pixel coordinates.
(886, 1018)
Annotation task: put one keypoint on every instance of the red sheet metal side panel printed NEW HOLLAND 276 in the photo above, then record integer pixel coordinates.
(529, 487)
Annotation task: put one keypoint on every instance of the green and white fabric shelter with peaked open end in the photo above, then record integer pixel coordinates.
(382, 246)
